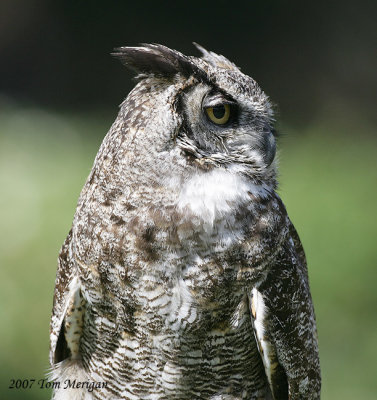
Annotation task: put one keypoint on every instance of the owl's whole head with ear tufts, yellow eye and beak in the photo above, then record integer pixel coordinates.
(214, 114)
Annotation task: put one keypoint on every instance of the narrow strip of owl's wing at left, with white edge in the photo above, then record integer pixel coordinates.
(68, 309)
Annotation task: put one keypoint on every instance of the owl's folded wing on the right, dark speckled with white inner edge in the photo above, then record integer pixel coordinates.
(284, 325)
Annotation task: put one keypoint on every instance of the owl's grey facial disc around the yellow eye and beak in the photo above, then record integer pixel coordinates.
(226, 132)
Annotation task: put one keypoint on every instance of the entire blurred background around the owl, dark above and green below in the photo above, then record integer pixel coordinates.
(58, 97)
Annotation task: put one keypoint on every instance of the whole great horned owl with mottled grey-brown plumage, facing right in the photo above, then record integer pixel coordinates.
(182, 276)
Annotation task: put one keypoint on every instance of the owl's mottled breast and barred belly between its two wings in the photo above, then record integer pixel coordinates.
(174, 280)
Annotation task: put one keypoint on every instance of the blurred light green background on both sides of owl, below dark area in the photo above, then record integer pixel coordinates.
(328, 183)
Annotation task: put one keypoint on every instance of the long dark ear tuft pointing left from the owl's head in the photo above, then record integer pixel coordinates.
(158, 60)
